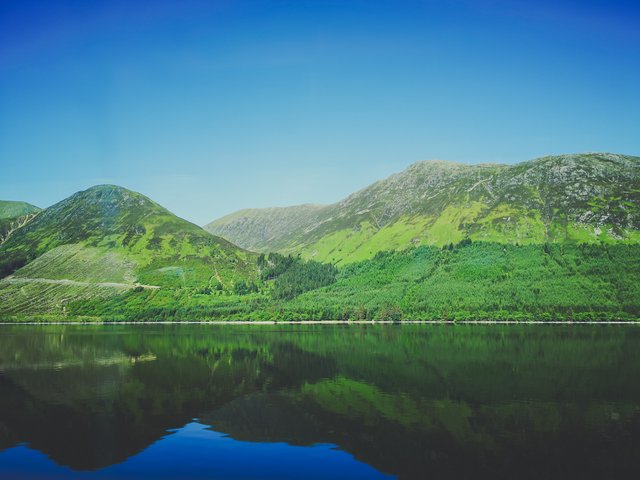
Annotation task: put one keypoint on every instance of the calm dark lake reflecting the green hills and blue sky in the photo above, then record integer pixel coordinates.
(201, 401)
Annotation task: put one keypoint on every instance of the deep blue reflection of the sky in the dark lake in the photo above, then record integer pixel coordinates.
(195, 451)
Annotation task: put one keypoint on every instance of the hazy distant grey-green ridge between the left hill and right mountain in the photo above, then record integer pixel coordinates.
(260, 229)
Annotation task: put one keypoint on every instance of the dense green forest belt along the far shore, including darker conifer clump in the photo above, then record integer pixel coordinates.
(467, 281)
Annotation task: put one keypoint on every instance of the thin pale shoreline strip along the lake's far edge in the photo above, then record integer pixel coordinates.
(336, 322)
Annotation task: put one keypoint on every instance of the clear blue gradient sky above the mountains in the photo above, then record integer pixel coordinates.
(212, 106)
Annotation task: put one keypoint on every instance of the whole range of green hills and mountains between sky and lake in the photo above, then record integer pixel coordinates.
(555, 238)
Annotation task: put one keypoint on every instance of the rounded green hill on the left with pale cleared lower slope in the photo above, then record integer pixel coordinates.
(106, 241)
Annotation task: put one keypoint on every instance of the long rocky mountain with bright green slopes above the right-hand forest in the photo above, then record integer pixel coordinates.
(566, 198)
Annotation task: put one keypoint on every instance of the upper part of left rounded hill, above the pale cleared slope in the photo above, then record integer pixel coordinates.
(117, 219)
